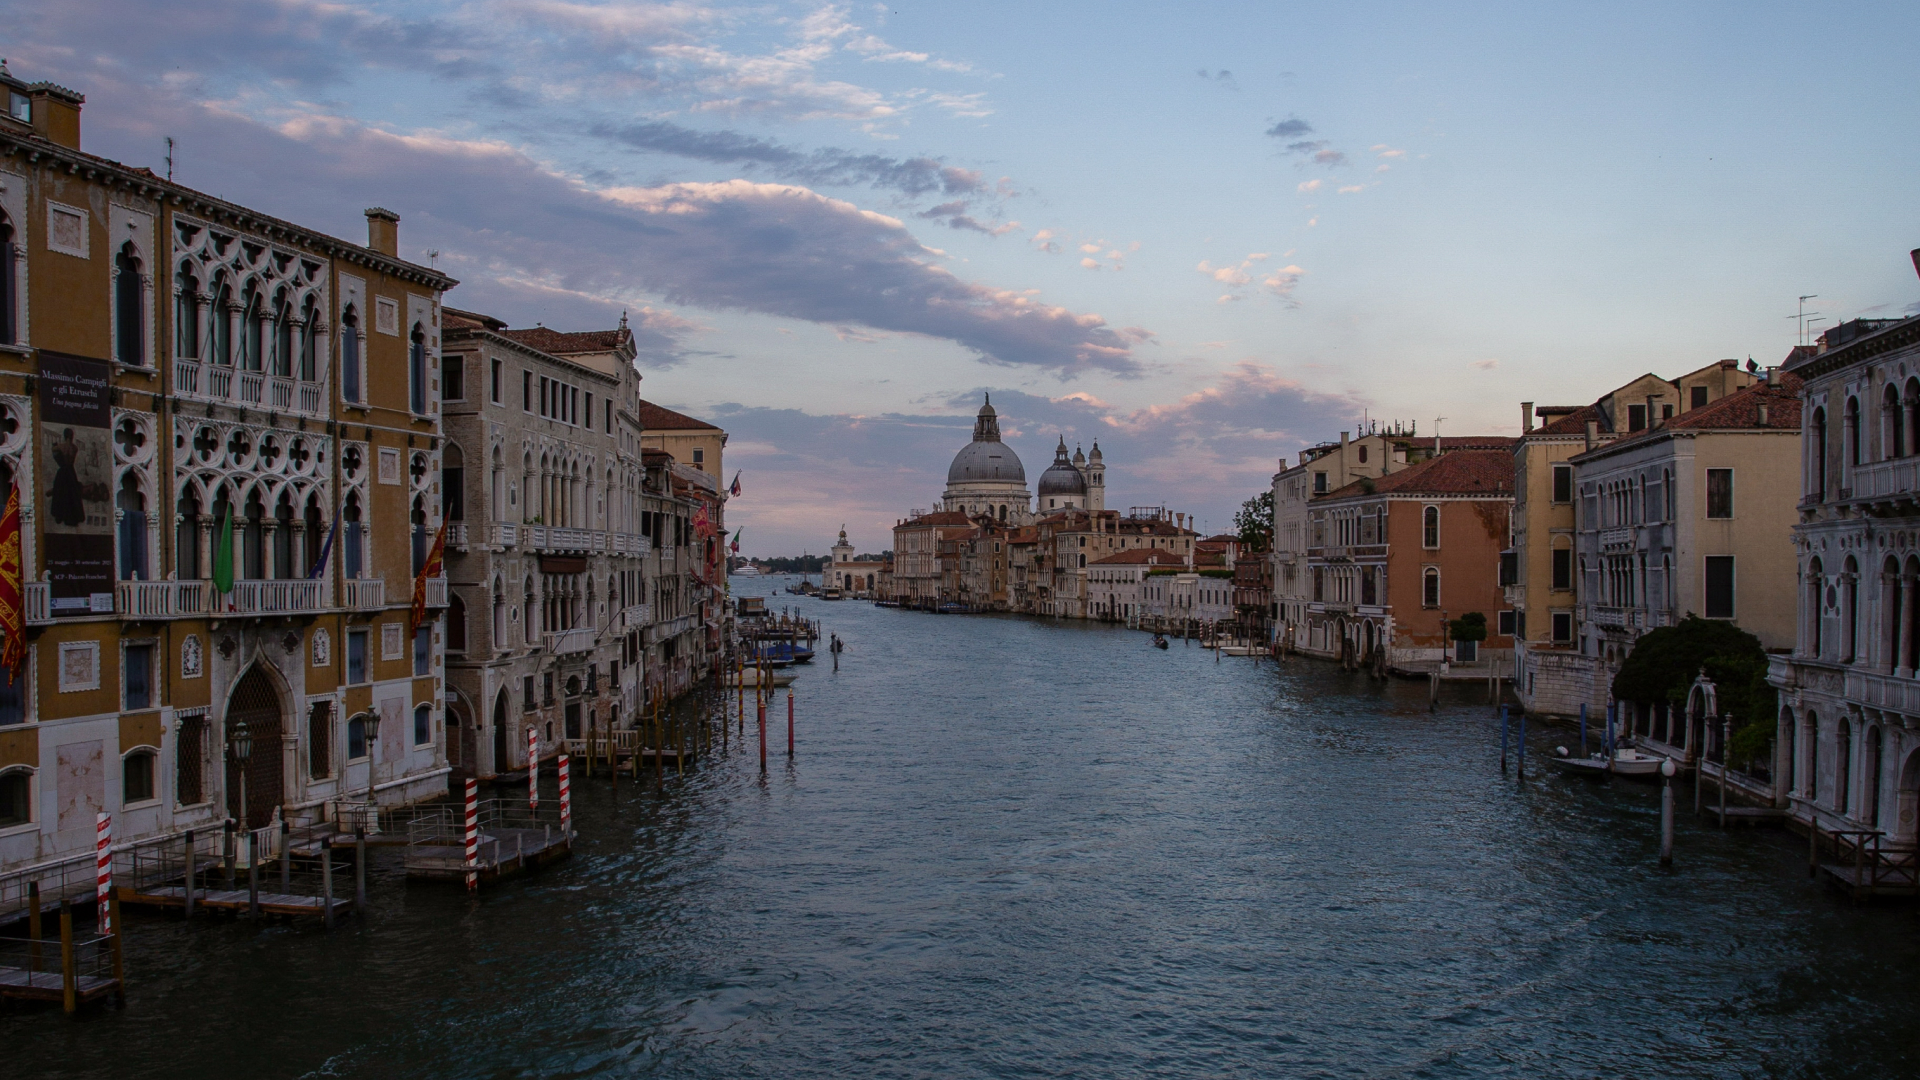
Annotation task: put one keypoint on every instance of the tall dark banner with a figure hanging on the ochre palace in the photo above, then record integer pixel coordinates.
(76, 479)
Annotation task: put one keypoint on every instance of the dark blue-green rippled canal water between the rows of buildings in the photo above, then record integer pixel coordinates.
(1042, 848)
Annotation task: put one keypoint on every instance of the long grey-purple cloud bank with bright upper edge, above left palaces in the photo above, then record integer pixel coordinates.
(736, 245)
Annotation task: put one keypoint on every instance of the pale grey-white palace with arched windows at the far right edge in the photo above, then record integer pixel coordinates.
(1848, 750)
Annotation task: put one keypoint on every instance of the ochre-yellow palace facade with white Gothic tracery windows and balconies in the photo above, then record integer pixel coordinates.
(191, 385)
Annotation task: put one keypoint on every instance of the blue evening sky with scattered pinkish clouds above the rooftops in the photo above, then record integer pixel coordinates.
(1201, 235)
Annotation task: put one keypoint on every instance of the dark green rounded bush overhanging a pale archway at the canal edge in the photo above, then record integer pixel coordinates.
(1664, 666)
